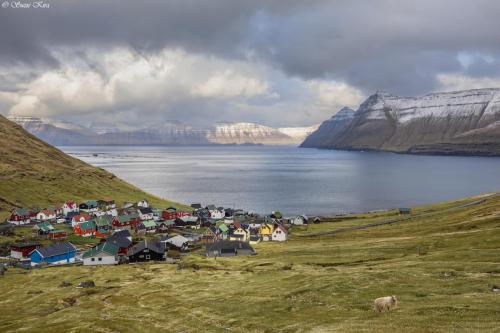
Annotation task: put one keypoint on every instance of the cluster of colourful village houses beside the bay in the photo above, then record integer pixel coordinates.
(138, 233)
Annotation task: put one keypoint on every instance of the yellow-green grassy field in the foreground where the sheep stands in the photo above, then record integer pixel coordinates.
(441, 267)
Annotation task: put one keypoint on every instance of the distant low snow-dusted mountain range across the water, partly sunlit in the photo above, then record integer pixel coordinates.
(166, 133)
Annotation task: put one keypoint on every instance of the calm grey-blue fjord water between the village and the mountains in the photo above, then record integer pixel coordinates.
(295, 180)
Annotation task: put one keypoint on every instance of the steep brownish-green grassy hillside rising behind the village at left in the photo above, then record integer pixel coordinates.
(33, 173)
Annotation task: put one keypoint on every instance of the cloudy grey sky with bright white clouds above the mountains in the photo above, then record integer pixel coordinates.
(276, 62)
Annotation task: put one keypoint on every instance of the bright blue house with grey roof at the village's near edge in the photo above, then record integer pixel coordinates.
(56, 254)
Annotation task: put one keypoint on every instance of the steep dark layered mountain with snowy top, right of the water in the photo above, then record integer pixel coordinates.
(457, 123)
